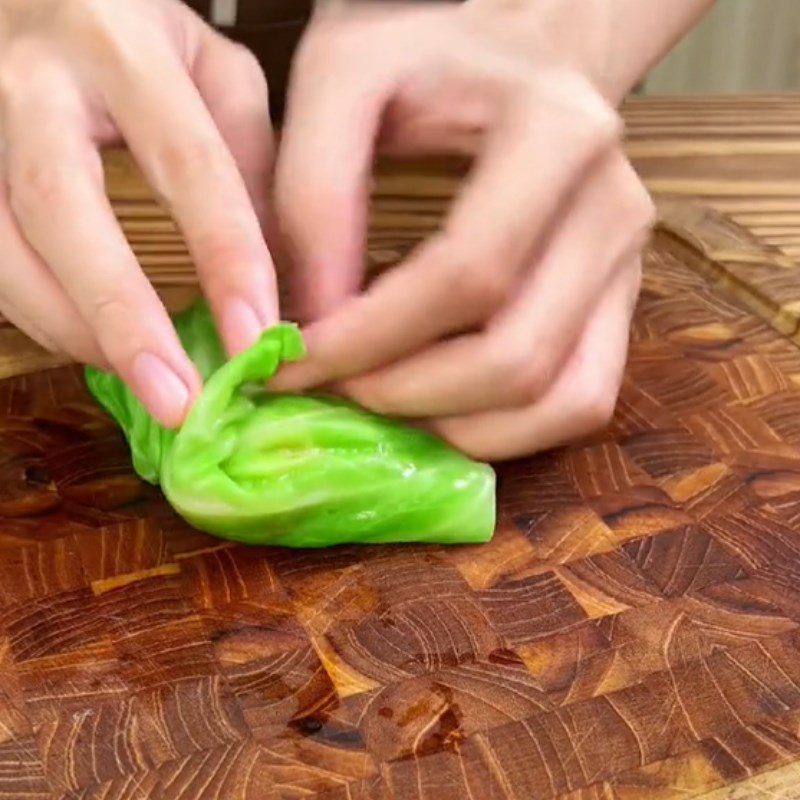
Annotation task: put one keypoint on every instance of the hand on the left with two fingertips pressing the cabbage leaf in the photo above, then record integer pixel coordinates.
(76, 75)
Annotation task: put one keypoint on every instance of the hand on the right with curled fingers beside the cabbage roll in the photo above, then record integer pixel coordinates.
(506, 332)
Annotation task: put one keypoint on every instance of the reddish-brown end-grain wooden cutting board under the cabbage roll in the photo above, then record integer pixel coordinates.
(632, 632)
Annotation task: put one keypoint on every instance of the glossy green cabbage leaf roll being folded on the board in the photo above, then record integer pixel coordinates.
(298, 471)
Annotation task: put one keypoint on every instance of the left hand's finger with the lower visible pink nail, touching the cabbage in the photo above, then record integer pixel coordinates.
(56, 193)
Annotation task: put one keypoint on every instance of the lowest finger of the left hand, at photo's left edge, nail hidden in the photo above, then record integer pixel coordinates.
(34, 301)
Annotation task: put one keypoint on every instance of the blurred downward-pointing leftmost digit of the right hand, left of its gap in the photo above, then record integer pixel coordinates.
(324, 164)
